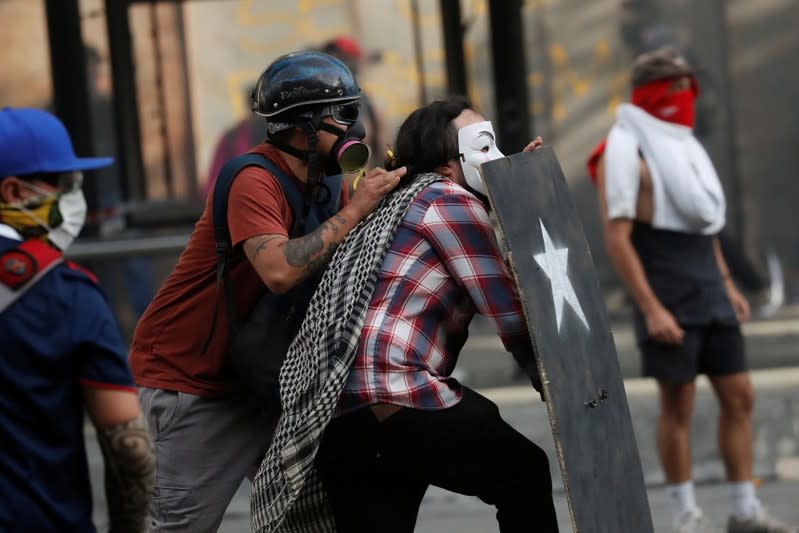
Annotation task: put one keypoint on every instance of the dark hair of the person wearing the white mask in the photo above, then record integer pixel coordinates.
(428, 139)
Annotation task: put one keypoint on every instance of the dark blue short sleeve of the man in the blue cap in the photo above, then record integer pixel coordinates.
(101, 354)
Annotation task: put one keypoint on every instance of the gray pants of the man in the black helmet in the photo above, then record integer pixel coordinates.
(204, 448)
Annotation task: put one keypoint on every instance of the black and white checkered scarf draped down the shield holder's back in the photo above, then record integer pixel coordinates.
(287, 494)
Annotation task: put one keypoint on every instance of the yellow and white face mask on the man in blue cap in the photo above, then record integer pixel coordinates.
(57, 217)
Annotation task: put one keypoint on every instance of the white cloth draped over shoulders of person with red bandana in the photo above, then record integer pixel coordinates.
(687, 194)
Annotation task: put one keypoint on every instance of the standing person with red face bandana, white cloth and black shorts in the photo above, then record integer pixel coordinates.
(662, 207)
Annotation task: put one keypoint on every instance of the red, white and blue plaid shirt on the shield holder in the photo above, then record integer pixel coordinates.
(443, 266)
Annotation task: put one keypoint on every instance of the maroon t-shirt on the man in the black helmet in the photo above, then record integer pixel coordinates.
(167, 345)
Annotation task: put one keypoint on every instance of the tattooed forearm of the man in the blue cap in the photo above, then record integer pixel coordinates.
(129, 456)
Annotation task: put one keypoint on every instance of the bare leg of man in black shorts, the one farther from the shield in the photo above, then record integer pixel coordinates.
(736, 399)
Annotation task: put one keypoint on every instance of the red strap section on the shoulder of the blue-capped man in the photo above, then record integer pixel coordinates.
(21, 267)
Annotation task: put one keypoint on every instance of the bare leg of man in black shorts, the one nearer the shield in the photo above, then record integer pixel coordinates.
(674, 428)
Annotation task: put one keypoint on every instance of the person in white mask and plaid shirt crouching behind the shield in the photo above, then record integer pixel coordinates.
(403, 422)
